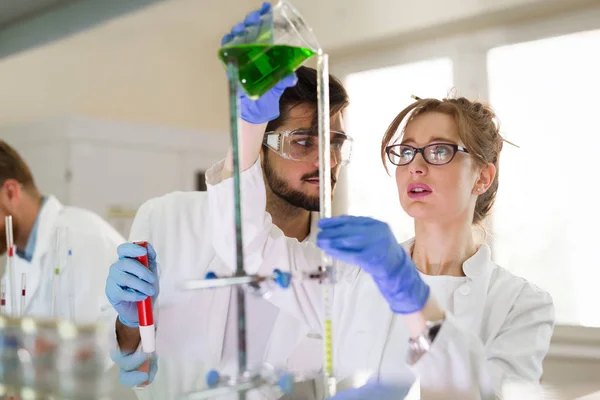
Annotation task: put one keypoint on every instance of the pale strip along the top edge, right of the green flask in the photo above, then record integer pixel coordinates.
(348, 26)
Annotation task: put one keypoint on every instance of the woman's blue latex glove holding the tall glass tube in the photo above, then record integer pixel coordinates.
(371, 245)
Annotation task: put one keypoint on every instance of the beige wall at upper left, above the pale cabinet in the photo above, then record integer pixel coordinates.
(158, 66)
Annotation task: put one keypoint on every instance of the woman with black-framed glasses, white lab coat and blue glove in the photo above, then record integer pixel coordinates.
(462, 321)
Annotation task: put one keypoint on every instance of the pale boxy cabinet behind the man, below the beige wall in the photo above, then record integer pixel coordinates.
(109, 167)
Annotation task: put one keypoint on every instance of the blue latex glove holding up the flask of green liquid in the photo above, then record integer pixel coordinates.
(266, 108)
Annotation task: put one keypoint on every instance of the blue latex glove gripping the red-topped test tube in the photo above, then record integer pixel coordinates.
(129, 282)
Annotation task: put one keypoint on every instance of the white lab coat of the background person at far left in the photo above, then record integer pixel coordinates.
(93, 244)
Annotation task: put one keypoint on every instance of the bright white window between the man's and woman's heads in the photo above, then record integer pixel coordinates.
(376, 97)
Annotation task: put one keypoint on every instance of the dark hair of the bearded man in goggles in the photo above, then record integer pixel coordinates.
(305, 92)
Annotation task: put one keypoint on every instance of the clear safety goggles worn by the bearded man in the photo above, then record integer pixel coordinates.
(303, 145)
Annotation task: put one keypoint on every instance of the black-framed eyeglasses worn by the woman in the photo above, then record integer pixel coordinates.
(434, 154)
